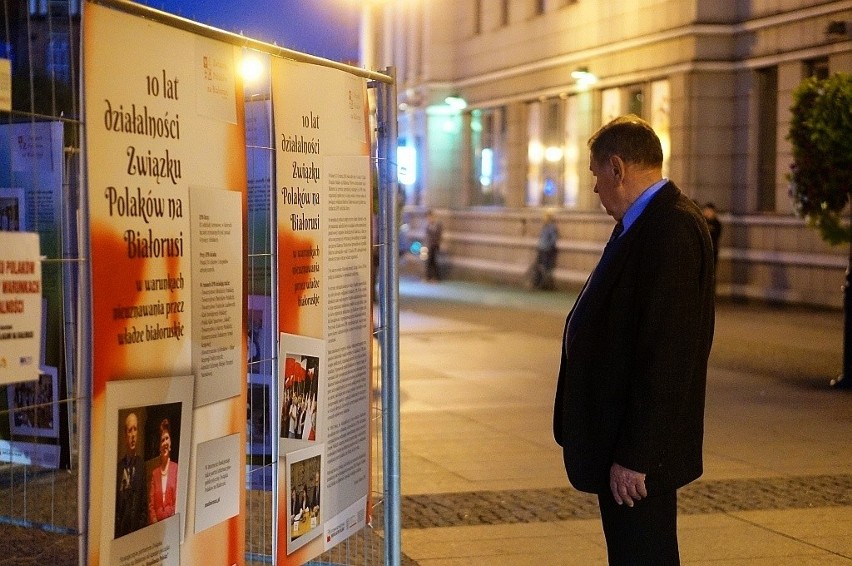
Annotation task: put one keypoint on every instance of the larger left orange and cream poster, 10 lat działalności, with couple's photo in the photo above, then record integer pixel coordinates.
(166, 183)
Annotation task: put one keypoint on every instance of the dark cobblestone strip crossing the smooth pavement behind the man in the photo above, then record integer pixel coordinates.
(34, 546)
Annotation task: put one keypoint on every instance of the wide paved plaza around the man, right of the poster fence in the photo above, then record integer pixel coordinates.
(483, 481)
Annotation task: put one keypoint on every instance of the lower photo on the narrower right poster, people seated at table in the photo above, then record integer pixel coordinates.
(305, 507)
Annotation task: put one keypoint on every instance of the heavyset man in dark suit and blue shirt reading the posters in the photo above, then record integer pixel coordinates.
(629, 409)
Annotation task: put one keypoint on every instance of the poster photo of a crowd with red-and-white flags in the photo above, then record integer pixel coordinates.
(301, 370)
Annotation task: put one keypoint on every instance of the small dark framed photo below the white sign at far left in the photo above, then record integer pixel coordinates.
(34, 405)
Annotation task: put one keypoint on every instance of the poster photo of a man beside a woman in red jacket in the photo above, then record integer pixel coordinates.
(146, 455)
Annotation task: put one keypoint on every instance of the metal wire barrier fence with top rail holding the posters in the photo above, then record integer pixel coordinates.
(43, 424)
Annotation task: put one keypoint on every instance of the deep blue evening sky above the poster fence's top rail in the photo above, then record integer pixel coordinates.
(326, 28)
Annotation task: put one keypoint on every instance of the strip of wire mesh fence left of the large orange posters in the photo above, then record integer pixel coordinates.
(39, 165)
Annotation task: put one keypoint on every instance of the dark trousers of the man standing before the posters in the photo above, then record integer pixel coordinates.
(645, 534)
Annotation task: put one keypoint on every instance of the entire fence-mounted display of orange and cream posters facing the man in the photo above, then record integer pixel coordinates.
(217, 285)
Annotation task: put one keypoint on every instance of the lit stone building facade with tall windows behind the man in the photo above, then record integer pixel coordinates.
(498, 97)
